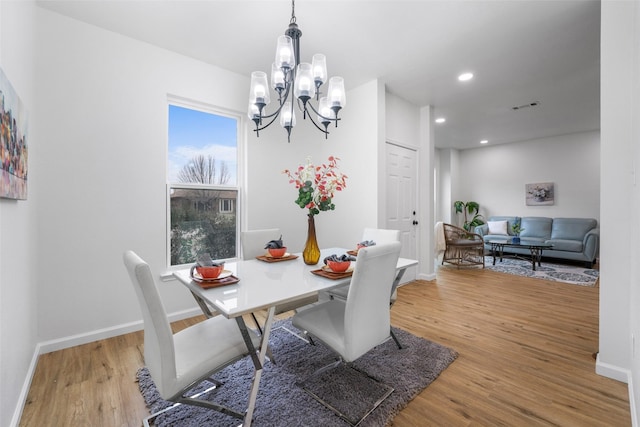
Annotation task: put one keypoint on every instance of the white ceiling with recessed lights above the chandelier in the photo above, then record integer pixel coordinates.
(519, 51)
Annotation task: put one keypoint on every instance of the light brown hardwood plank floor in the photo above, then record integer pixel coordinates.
(525, 359)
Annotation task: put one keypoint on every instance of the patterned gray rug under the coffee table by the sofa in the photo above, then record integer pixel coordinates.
(573, 274)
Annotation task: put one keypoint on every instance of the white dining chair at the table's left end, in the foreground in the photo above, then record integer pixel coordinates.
(179, 362)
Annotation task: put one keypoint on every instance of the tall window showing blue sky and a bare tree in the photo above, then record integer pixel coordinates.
(203, 190)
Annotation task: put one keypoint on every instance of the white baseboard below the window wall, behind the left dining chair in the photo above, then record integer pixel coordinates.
(114, 331)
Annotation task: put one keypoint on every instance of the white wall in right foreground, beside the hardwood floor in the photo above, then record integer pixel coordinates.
(619, 287)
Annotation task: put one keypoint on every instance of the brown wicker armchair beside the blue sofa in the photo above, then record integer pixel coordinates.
(463, 247)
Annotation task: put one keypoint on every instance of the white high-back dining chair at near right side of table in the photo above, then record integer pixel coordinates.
(354, 326)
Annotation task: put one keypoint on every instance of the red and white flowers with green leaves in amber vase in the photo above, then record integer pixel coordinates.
(317, 185)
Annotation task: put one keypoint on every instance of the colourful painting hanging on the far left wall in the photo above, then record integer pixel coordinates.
(13, 142)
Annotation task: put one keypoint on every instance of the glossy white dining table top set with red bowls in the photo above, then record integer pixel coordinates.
(266, 284)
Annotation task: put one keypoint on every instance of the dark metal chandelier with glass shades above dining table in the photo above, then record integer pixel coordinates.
(295, 83)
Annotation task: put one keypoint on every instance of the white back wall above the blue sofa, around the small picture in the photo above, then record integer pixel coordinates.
(495, 177)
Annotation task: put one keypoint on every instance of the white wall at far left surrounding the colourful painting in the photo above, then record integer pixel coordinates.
(18, 266)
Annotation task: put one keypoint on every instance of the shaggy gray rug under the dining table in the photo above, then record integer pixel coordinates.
(281, 402)
